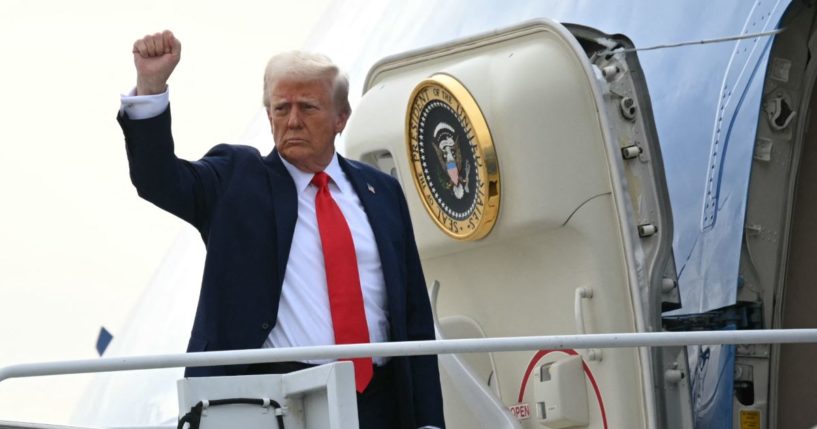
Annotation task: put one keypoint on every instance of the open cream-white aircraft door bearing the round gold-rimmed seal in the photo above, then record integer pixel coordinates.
(531, 167)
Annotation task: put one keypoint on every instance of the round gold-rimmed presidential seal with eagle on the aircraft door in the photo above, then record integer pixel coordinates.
(452, 158)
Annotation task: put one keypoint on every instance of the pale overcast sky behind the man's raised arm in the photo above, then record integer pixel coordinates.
(77, 246)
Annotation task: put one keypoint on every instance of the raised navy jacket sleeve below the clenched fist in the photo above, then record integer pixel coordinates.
(187, 189)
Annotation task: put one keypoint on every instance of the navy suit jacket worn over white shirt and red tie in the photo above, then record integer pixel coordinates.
(245, 207)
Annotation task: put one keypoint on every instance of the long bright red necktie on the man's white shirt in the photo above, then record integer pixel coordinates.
(342, 278)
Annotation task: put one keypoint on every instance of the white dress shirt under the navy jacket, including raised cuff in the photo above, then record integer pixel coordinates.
(304, 317)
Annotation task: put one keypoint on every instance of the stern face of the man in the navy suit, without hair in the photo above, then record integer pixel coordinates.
(305, 120)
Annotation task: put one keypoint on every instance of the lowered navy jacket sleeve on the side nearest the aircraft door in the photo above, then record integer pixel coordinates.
(425, 372)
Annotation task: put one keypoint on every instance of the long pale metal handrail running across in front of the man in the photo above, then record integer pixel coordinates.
(410, 348)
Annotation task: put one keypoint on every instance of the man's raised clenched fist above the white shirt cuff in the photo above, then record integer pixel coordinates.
(155, 57)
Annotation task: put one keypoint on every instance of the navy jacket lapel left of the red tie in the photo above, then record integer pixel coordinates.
(285, 206)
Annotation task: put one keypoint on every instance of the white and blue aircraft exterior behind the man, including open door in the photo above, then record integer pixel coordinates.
(632, 182)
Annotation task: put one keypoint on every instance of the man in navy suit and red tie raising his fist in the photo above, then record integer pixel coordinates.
(304, 247)
